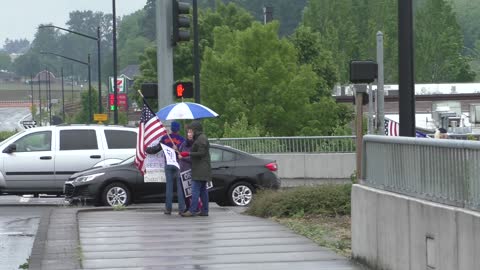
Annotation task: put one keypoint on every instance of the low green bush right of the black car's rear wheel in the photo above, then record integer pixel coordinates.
(329, 200)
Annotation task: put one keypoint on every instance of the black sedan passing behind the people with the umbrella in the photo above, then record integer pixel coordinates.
(236, 177)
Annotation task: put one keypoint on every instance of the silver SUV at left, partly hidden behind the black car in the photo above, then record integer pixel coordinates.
(41, 159)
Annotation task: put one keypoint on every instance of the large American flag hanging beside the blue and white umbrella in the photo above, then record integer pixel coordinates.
(150, 129)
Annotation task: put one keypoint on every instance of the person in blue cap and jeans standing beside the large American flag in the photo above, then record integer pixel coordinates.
(173, 140)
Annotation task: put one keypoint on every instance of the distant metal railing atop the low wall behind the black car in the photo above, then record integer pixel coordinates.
(312, 144)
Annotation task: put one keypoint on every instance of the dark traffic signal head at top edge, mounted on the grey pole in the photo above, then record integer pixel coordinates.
(181, 23)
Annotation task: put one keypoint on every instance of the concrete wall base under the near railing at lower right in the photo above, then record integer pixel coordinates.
(396, 232)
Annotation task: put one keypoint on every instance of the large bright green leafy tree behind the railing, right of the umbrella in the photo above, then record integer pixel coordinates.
(257, 74)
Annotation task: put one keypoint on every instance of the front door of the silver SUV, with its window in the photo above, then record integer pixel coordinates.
(31, 166)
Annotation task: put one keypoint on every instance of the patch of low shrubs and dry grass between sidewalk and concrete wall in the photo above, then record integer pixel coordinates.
(320, 213)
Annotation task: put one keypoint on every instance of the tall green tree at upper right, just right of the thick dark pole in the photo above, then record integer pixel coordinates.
(439, 45)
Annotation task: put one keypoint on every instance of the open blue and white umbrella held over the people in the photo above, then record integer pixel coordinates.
(185, 110)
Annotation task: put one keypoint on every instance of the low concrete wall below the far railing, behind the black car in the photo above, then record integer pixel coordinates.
(314, 166)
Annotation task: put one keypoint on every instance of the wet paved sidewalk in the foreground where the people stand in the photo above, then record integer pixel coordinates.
(144, 238)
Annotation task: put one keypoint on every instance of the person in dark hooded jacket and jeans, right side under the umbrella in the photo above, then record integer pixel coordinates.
(201, 170)
